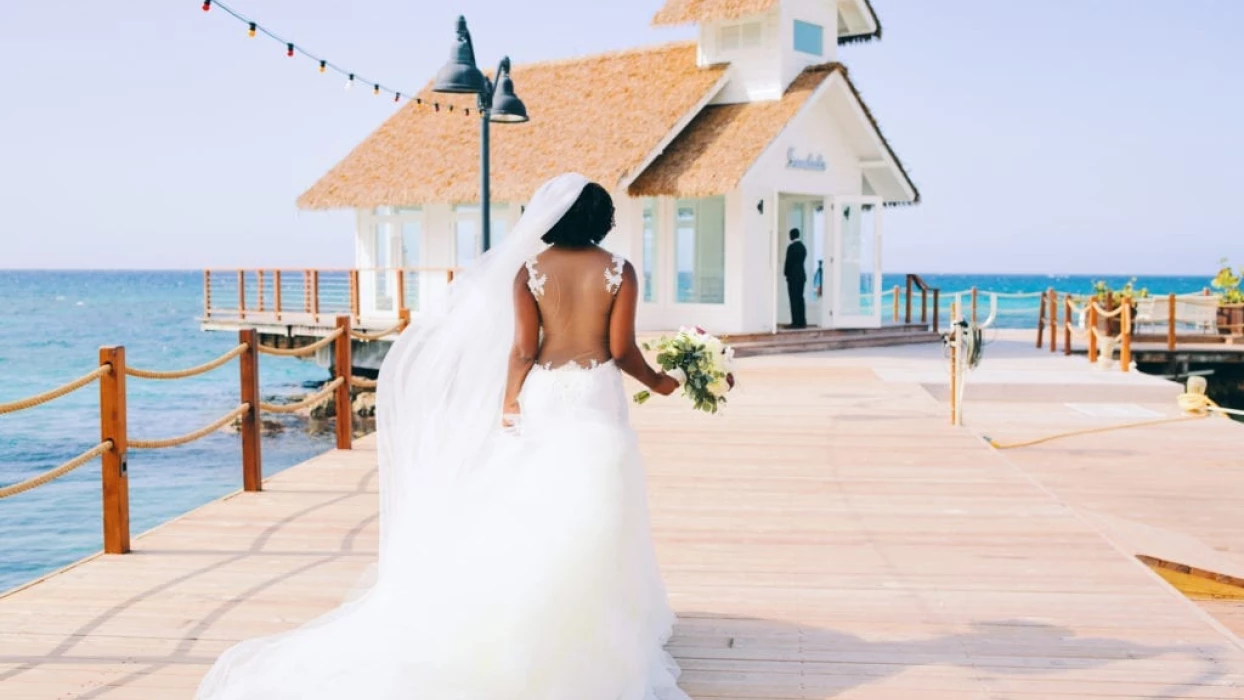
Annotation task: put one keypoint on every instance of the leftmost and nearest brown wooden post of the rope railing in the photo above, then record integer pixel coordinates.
(116, 473)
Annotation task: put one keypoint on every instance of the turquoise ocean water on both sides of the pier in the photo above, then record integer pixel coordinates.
(52, 328)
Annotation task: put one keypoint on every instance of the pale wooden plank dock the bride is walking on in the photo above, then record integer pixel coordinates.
(829, 537)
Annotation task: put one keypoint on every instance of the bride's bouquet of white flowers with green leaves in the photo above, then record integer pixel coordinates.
(702, 364)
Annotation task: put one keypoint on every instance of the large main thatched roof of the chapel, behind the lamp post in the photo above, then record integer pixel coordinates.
(603, 116)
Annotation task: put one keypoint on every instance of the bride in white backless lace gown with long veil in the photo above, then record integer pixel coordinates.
(516, 560)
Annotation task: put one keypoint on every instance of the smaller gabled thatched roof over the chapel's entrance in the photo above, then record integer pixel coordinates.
(716, 151)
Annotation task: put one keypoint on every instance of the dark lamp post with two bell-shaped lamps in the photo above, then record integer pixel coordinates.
(497, 104)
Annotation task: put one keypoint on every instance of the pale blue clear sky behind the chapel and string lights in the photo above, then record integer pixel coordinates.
(1064, 136)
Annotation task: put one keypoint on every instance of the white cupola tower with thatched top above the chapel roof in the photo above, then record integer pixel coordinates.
(768, 48)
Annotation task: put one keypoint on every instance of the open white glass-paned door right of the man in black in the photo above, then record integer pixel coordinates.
(856, 263)
